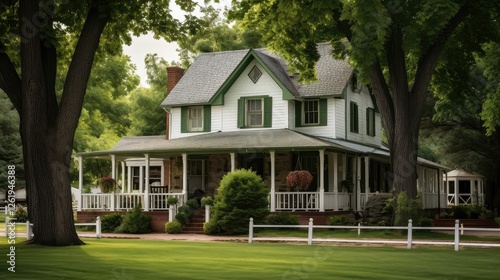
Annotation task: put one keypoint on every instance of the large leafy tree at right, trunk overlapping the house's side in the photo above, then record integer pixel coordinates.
(395, 45)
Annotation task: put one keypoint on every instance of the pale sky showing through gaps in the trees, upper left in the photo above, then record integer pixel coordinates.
(147, 44)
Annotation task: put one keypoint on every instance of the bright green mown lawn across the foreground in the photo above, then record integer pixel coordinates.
(148, 259)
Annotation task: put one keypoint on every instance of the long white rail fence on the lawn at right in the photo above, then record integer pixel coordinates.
(409, 242)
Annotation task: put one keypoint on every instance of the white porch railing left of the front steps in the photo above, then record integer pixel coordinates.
(126, 201)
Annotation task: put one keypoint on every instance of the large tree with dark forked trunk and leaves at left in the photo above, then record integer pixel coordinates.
(30, 33)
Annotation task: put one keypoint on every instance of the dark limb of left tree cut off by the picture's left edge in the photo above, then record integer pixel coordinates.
(10, 82)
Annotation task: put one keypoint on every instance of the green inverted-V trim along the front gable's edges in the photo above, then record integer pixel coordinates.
(218, 97)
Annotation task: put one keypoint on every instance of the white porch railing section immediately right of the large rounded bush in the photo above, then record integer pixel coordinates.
(297, 201)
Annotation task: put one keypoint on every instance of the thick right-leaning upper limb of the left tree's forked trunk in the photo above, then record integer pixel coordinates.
(79, 72)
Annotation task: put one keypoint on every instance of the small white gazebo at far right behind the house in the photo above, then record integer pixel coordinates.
(465, 188)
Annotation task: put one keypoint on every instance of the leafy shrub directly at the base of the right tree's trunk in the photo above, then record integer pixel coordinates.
(407, 208)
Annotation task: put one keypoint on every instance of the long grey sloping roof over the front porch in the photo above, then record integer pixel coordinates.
(246, 141)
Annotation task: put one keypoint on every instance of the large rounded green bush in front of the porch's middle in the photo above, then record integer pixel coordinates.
(242, 195)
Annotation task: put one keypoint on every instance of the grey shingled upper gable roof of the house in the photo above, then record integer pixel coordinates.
(211, 74)
